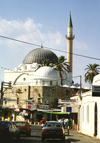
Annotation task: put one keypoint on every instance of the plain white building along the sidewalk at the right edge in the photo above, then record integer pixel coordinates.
(89, 111)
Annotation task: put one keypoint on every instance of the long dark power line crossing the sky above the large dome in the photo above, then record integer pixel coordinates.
(48, 47)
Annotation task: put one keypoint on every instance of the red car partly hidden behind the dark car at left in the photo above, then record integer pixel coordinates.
(24, 127)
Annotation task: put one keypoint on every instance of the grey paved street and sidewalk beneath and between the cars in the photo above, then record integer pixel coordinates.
(74, 137)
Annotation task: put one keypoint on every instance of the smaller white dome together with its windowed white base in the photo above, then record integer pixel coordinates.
(46, 76)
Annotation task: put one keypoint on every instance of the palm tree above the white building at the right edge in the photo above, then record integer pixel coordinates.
(92, 70)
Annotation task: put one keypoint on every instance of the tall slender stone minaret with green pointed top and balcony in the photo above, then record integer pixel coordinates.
(70, 38)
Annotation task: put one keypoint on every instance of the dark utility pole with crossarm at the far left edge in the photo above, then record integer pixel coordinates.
(6, 85)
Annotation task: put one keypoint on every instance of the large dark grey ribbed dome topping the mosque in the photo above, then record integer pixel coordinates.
(39, 55)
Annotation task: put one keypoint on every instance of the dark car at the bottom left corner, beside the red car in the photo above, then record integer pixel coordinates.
(9, 131)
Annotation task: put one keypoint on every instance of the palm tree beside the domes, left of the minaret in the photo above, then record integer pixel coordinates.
(61, 66)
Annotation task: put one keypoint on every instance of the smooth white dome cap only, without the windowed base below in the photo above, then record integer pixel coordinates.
(46, 73)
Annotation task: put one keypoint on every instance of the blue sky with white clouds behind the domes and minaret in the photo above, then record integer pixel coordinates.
(45, 22)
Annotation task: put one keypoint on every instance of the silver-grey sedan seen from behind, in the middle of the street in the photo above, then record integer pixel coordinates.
(53, 129)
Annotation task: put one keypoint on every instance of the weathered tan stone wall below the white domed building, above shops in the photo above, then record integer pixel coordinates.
(40, 93)
